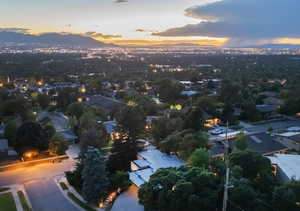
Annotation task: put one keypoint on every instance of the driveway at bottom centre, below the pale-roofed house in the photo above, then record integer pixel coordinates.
(128, 201)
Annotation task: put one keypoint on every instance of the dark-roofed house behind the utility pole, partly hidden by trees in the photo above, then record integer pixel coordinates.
(262, 143)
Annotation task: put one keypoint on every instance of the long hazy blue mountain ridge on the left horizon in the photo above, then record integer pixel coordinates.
(49, 39)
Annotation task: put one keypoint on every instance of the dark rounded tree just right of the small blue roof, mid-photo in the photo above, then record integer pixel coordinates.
(132, 121)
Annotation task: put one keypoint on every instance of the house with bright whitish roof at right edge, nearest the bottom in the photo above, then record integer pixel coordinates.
(287, 166)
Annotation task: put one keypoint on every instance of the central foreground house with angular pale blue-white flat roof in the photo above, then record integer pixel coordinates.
(148, 163)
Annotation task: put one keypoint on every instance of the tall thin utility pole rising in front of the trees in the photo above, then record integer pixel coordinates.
(226, 157)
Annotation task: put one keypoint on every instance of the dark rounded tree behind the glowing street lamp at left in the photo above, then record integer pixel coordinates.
(30, 135)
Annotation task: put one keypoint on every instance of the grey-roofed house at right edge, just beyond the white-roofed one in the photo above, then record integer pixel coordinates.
(289, 139)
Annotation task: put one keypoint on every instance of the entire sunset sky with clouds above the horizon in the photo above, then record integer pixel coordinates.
(216, 22)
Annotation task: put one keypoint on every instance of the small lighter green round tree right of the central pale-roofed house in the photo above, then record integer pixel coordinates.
(200, 158)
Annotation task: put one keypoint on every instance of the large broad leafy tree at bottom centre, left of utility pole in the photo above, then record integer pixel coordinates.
(180, 189)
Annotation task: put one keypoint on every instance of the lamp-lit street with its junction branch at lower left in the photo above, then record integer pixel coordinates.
(39, 183)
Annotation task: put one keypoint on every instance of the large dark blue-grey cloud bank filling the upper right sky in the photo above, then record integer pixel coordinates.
(242, 19)
